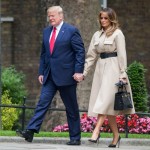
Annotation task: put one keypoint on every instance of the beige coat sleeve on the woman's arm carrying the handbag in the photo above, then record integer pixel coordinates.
(121, 51)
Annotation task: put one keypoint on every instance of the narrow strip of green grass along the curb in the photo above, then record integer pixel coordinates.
(66, 134)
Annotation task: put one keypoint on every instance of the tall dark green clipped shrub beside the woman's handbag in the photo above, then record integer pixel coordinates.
(136, 73)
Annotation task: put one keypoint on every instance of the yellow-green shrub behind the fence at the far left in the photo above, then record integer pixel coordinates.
(9, 115)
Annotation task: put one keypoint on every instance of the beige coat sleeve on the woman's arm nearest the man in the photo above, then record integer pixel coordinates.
(90, 57)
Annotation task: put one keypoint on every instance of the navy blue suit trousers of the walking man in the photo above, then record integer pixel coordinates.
(69, 98)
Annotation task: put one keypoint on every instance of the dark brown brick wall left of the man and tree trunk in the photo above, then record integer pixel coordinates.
(21, 39)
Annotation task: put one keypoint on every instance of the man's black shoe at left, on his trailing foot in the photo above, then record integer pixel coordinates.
(27, 134)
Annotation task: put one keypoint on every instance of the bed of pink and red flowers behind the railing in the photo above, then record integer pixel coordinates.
(135, 124)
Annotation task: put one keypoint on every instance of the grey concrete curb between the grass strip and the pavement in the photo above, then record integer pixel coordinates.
(84, 141)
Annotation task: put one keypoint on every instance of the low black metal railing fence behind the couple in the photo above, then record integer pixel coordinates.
(24, 107)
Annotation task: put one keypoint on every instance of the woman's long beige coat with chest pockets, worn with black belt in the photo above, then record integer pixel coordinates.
(107, 72)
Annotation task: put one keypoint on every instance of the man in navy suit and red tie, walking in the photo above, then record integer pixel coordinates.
(61, 62)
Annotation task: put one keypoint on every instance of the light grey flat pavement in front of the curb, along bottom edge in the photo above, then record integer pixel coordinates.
(43, 146)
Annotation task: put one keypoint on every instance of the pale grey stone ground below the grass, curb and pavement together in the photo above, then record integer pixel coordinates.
(17, 143)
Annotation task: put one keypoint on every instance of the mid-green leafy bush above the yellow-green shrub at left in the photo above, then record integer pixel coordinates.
(13, 82)
